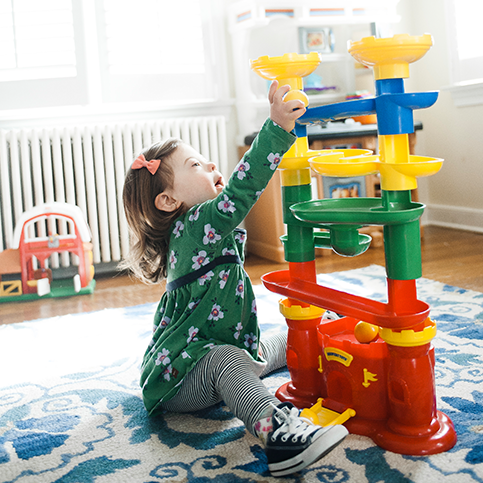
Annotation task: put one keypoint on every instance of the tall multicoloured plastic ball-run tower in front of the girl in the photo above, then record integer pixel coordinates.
(373, 368)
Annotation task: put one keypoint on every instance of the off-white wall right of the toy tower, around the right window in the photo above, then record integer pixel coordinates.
(454, 196)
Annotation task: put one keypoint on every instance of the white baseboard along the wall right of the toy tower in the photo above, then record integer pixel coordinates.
(457, 217)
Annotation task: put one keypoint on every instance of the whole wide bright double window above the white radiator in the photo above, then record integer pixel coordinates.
(80, 52)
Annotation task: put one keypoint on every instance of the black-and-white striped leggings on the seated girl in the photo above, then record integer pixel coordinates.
(227, 373)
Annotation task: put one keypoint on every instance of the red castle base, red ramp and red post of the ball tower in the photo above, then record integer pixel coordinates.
(390, 386)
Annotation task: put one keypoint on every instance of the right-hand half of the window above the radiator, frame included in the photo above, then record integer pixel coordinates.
(154, 50)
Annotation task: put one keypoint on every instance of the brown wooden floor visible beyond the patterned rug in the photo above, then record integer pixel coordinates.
(450, 256)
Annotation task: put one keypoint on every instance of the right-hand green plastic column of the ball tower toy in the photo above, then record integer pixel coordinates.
(402, 242)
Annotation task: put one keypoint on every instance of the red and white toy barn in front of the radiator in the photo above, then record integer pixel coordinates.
(36, 238)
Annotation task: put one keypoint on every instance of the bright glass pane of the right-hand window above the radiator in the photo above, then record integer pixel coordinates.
(145, 36)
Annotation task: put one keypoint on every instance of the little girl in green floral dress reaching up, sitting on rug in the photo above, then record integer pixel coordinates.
(206, 342)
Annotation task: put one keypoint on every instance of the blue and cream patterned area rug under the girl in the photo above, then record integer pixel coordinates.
(71, 411)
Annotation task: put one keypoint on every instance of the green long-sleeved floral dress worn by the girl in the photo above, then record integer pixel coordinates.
(209, 299)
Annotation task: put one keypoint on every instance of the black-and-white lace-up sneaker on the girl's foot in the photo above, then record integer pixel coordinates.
(295, 442)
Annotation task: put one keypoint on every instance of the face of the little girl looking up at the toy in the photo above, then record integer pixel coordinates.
(195, 179)
